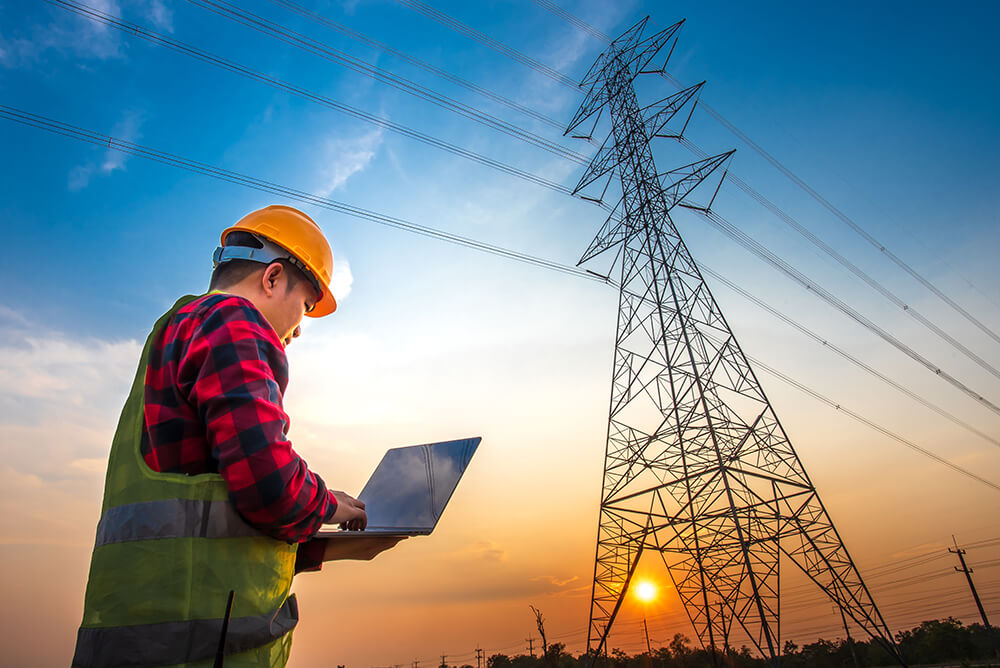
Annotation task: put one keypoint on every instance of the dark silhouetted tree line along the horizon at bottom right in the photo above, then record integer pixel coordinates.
(937, 641)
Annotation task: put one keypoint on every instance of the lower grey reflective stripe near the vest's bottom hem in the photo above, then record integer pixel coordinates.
(174, 643)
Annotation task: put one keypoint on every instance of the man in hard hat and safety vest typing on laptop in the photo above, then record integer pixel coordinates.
(204, 494)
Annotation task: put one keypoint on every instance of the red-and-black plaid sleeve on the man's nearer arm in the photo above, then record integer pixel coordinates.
(236, 372)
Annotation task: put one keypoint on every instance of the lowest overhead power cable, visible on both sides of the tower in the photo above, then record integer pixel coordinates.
(132, 148)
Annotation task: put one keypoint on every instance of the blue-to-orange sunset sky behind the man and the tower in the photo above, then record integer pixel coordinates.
(887, 110)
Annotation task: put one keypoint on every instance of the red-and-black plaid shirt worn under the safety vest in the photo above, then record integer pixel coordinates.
(214, 388)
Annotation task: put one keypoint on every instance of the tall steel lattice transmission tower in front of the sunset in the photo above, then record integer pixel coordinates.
(697, 466)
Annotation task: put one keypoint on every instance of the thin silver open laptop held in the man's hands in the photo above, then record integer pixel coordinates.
(409, 489)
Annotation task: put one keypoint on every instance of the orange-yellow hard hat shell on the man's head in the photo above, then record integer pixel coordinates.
(301, 237)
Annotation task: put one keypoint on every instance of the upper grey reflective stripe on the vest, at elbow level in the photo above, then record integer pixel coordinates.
(171, 518)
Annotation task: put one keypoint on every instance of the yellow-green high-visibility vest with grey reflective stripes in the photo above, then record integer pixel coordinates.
(169, 548)
